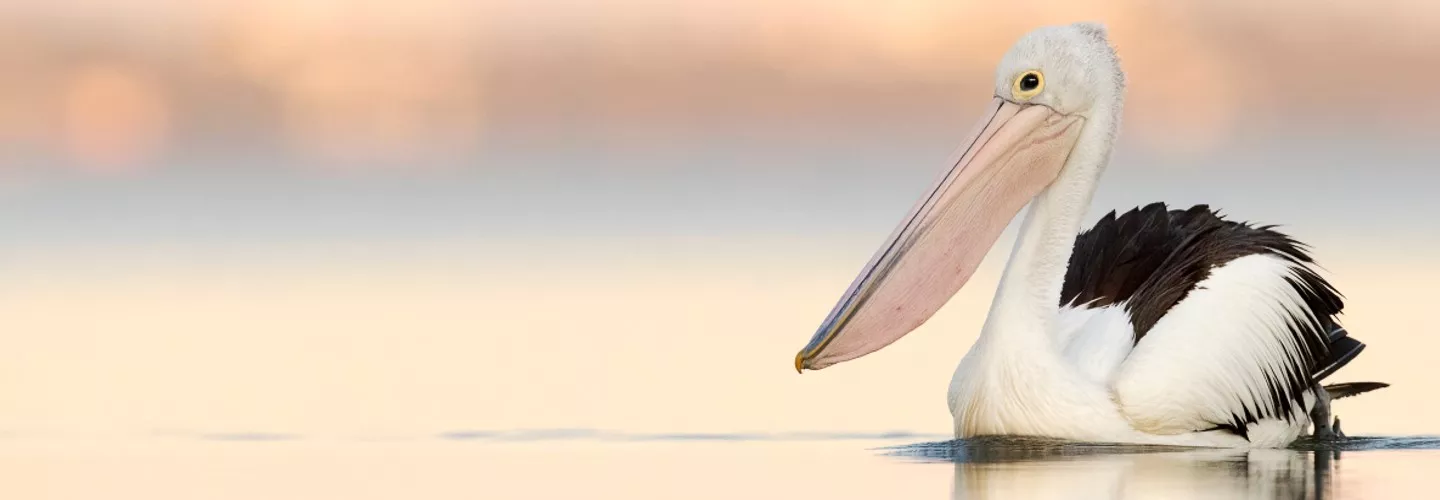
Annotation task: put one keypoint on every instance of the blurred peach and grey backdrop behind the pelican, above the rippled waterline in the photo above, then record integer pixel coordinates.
(359, 220)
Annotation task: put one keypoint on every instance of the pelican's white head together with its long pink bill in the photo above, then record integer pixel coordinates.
(1056, 107)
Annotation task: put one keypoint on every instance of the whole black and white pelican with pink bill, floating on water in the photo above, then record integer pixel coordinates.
(1157, 326)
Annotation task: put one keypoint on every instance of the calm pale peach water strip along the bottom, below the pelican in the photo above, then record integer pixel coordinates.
(483, 466)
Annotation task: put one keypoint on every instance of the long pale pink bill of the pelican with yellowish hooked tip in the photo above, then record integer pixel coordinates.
(1017, 152)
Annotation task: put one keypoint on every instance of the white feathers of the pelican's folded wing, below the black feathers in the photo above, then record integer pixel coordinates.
(1210, 358)
